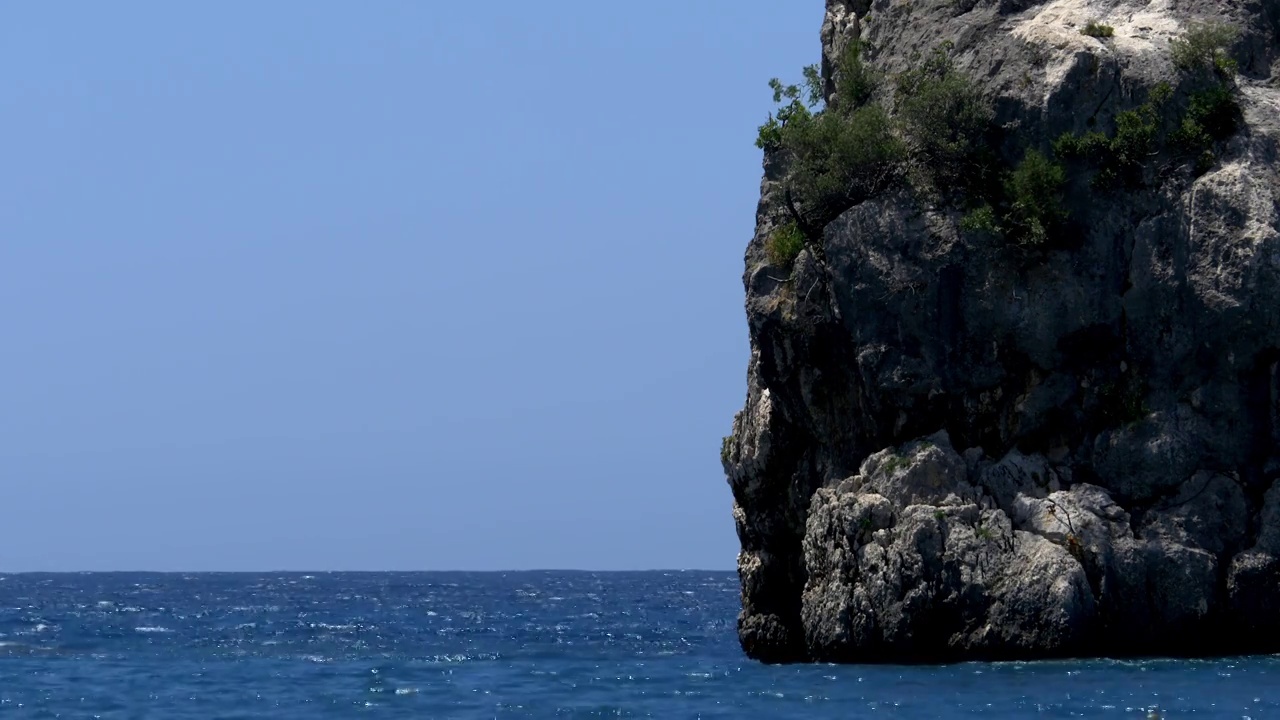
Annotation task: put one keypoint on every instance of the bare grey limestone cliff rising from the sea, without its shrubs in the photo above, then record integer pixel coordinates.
(952, 449)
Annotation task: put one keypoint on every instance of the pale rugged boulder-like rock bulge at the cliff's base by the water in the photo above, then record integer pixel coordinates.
(904, 563)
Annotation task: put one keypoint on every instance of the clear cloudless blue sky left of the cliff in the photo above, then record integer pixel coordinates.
(376, 286)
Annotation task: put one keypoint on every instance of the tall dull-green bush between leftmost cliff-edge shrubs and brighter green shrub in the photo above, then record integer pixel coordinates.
(944, 121)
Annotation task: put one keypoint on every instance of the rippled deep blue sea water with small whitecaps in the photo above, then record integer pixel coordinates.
(514, 645)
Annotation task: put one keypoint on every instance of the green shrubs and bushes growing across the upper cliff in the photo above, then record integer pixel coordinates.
(934, 131)
